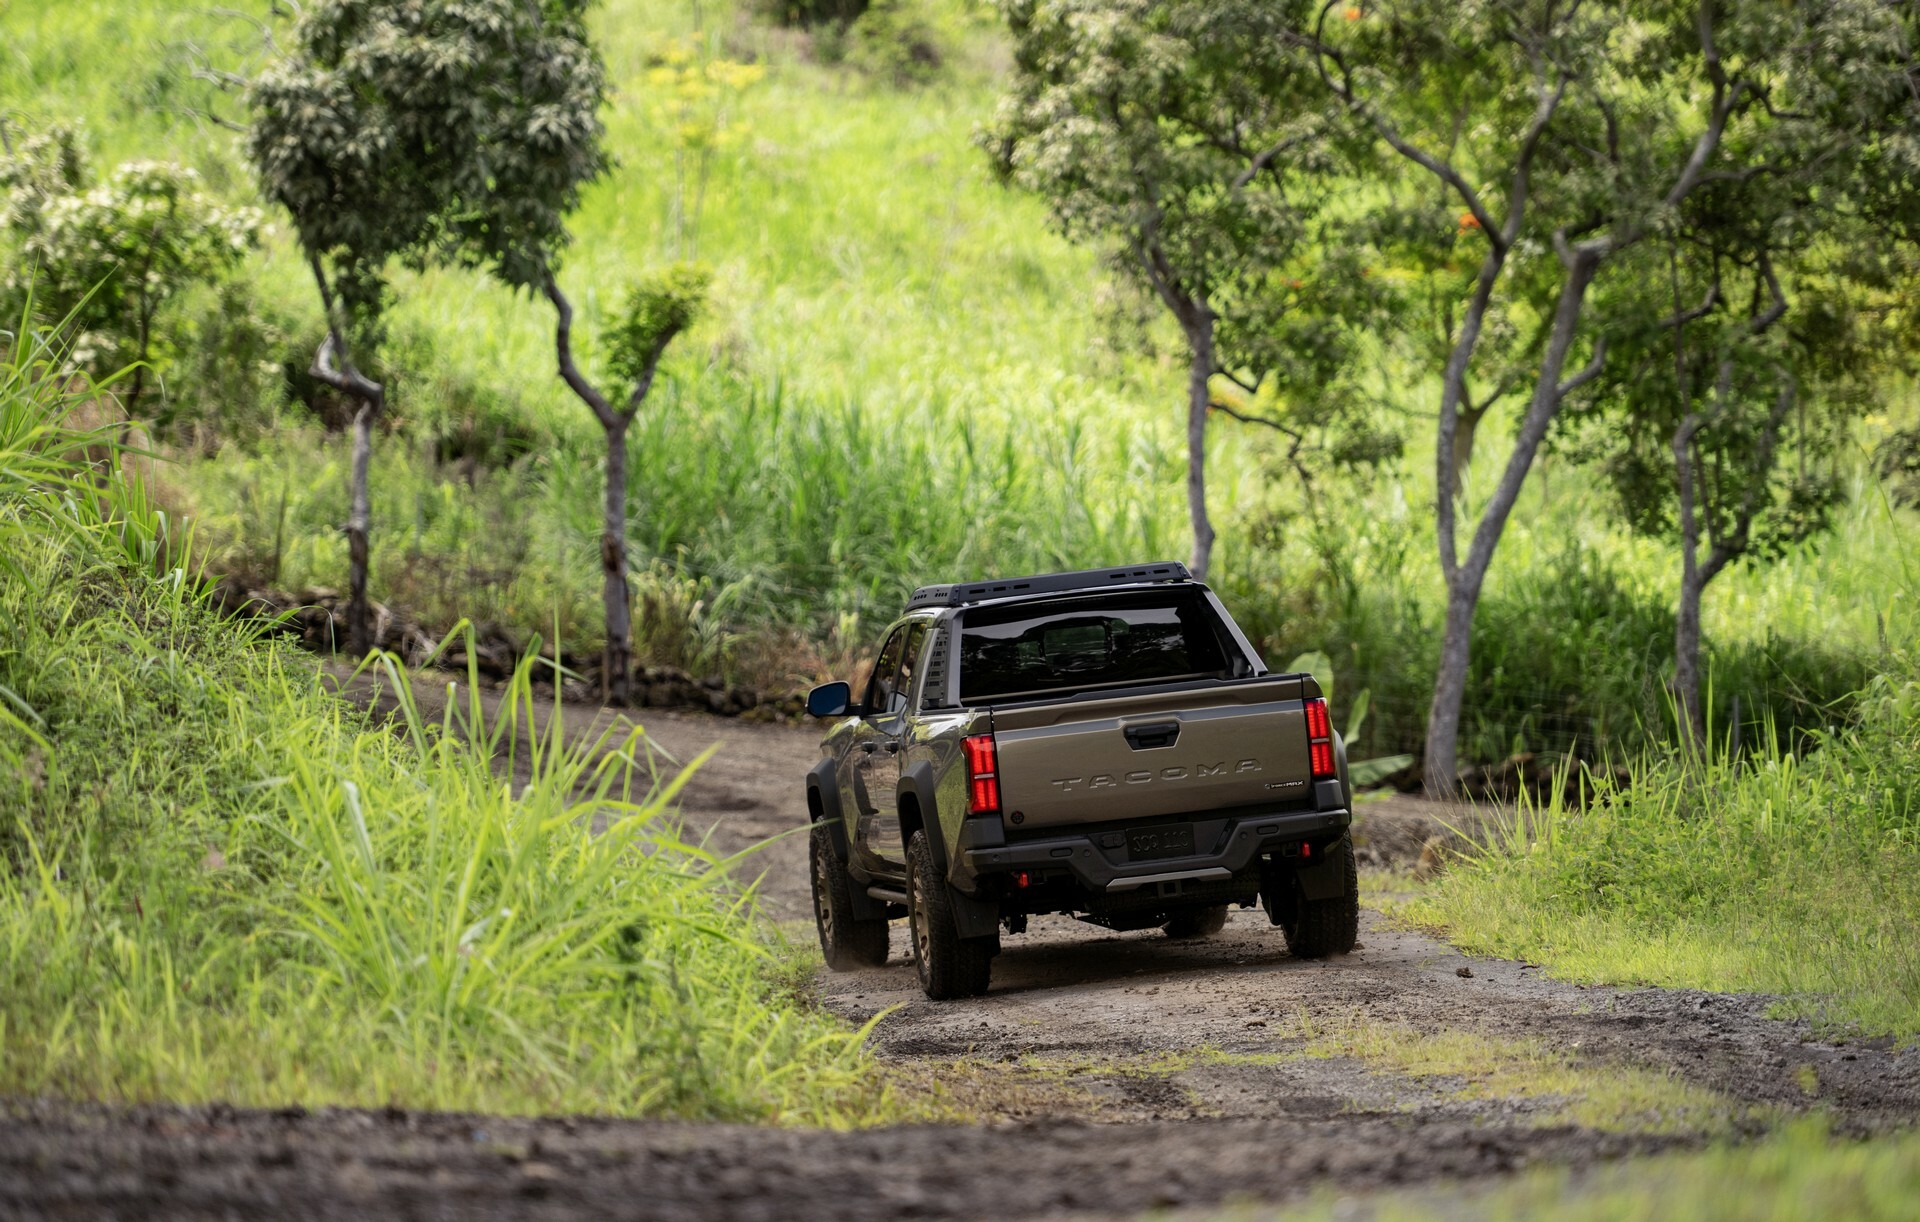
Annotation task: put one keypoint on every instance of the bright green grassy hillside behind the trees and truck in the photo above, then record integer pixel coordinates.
(905, 376)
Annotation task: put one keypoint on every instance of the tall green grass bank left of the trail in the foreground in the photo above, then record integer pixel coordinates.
(222, 883)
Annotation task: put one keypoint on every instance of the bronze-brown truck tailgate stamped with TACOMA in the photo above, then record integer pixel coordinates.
(1155, 754)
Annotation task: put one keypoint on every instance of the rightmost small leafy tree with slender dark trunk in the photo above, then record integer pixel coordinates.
(1748, 343)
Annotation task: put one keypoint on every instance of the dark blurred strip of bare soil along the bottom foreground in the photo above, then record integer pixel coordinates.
(195, 1163)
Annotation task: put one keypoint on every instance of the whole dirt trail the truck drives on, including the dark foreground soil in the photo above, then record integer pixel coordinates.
(1113, 1075)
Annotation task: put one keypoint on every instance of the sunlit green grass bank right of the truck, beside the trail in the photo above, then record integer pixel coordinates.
(1773, 873)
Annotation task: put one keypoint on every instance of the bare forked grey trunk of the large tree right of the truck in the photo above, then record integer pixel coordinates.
(1466, 581)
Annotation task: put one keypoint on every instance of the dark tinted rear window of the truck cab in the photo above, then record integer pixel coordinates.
(1078, 645)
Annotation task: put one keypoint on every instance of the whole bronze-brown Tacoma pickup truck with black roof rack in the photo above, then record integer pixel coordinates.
(1103, 745)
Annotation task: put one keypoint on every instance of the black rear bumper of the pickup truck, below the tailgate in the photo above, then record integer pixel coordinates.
(1099, 860)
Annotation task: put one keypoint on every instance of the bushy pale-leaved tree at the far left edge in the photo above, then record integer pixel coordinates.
(112, 255)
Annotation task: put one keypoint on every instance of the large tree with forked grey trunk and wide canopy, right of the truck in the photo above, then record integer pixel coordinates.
(1568, 134)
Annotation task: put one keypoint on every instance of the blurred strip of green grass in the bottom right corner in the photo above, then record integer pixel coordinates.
(1796, 1177)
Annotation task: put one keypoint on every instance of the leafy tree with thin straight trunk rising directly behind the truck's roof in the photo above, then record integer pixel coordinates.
(1193, 137)
